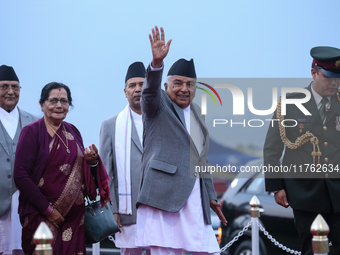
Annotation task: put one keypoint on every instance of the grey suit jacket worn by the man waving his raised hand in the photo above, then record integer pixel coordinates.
(170, 156)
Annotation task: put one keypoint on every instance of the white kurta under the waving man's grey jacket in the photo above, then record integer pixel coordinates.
(185, 229)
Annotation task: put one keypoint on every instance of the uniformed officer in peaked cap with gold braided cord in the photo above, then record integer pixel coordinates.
(315, 185)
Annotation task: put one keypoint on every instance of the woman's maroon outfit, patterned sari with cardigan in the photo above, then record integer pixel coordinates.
(40, 159)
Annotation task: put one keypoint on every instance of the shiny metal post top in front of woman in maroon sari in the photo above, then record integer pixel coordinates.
(43, 238)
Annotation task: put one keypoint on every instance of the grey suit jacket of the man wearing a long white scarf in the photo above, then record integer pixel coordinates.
(108, 156)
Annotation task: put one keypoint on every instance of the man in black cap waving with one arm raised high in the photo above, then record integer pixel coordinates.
(173, 204)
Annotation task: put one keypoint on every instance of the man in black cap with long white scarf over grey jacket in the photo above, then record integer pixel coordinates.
(120, 147)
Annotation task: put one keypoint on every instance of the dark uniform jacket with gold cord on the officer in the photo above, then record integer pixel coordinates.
(322, 192)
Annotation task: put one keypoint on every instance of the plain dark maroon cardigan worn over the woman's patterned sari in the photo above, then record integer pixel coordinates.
(31, 157)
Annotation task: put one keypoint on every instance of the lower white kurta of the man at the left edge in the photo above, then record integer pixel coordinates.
(10, 228)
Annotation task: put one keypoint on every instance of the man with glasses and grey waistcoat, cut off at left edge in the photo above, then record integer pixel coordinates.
(12, 120)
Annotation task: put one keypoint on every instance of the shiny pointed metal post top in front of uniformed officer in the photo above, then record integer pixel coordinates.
(319, 230)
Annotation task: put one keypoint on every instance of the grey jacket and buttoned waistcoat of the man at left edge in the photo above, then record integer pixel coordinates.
(7, 185)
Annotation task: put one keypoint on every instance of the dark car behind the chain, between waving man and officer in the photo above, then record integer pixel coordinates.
(277, 220)
